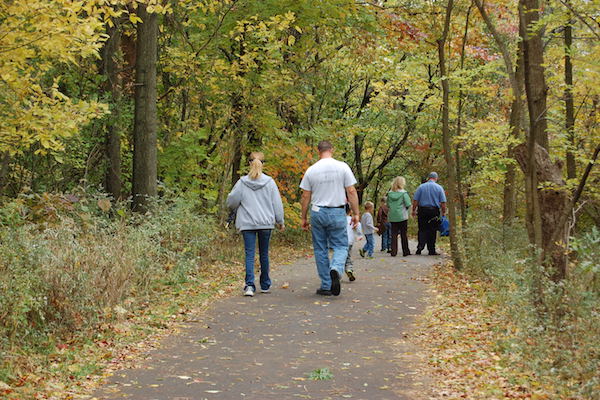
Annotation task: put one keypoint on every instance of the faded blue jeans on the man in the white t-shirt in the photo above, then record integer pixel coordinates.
(329, 227)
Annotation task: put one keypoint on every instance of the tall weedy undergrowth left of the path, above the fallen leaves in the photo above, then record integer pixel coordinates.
(66, 261)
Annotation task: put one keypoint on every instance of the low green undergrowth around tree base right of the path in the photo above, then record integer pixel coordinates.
(554, 327)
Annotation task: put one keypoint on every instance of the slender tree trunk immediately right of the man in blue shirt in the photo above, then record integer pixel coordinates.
(450, 166)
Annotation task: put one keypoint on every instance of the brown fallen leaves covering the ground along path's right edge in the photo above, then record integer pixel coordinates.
(459, 335)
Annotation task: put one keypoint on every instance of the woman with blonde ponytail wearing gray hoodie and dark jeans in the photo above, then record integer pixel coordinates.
(259, 208)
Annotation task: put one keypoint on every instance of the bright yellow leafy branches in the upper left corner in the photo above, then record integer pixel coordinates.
(36, 37)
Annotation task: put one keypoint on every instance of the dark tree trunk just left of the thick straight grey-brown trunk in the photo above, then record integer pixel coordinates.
(112, 179)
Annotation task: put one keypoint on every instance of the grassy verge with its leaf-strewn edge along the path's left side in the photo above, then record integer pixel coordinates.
(86, 293)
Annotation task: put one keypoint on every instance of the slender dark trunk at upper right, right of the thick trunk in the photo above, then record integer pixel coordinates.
(569, 106)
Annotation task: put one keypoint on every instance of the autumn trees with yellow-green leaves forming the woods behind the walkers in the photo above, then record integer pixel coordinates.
(134, 102)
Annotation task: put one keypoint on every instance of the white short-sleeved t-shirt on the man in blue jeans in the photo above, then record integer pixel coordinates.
(328, 179)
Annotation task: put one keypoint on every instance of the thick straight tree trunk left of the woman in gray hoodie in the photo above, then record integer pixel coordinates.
(145, 124)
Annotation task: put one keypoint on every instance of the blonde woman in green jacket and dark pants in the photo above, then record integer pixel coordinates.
(398, 202)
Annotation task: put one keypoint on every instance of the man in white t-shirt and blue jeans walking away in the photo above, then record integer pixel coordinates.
(326, 185)
